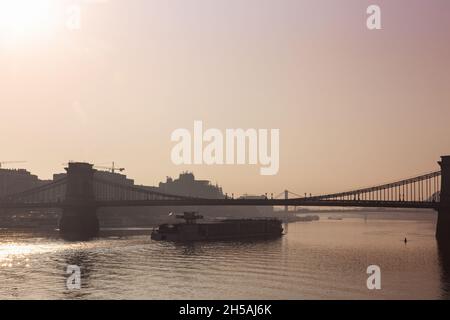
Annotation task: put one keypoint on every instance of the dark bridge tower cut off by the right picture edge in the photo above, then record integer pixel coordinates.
(443, 224)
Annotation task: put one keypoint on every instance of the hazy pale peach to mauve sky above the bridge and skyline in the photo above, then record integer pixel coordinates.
(354, 107)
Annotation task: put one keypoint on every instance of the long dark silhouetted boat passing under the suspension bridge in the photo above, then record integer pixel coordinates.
(229, 229)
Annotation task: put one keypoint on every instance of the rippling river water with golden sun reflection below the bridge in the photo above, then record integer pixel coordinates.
(325, 259)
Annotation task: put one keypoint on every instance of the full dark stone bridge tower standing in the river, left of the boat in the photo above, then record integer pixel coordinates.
(79, 219)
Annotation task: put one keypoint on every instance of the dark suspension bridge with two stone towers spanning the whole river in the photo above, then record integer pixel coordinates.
(80, 193)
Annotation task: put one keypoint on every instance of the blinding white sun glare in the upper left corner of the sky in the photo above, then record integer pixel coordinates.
(25, 19)
